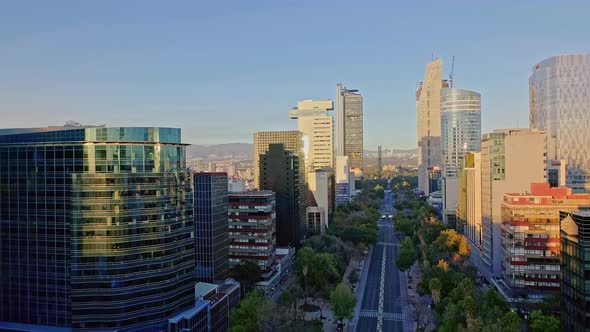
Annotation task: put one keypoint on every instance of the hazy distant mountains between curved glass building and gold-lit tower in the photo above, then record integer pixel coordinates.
(243, 151)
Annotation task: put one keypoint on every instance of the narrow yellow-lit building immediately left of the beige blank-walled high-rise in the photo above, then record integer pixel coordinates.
(469, 211)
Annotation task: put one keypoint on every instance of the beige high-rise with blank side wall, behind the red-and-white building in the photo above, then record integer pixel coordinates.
(511, 159)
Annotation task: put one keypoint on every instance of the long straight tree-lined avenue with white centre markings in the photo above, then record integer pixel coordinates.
(380, 306)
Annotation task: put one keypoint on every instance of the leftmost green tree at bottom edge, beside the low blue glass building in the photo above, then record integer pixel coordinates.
(246, 317)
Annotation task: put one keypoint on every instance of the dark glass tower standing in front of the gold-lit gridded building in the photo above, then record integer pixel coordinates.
(279, 172)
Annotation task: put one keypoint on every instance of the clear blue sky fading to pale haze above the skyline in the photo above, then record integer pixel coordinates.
(222, 70)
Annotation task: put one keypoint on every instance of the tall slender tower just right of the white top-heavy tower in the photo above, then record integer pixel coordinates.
(349, 105)
